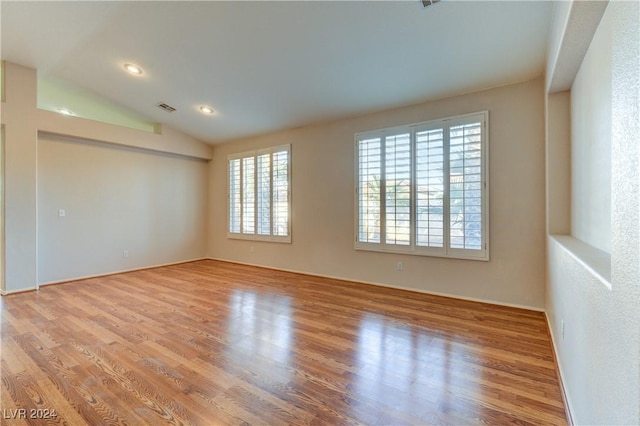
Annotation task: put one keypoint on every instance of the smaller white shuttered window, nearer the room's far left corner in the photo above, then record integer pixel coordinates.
(259, 195)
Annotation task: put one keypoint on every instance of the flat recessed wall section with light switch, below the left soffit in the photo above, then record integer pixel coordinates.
(152, 205)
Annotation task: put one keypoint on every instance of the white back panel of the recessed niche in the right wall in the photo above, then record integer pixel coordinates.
(591, 144)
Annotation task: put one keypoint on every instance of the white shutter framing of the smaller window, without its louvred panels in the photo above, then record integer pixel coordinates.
(256, 236)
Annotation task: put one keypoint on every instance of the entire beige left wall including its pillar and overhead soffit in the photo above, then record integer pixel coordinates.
(39, 249)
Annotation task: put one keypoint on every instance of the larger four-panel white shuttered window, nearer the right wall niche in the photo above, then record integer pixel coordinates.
(422, 188)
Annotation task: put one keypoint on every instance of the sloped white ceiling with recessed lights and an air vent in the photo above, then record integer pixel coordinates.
(265, 66)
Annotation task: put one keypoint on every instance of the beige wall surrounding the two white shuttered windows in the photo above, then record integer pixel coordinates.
(323, 203)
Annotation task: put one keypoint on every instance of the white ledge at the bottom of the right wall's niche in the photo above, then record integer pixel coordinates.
(594, 260)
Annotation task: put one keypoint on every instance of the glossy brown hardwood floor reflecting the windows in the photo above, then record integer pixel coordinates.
(217, 343)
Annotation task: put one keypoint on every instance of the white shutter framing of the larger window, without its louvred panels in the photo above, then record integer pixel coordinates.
(412, 248)
